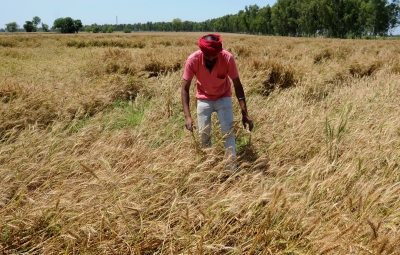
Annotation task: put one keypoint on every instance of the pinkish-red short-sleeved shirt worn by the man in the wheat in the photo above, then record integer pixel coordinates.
(215, 84)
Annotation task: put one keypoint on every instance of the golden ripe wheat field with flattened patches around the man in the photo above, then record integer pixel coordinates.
(95, 159)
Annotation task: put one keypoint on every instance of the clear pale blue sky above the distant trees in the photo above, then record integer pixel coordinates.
(125, 11)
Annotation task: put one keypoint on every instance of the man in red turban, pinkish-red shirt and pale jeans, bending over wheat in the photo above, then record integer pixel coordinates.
(213, 66)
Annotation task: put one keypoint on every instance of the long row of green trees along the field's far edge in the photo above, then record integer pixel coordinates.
(329, 18)
